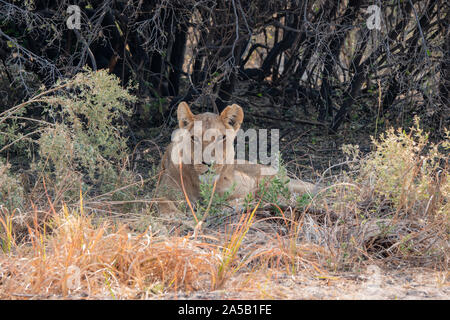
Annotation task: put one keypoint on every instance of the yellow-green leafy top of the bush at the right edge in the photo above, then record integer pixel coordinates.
(408, 170)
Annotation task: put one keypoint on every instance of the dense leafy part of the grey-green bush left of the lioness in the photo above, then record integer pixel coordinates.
(86, 141)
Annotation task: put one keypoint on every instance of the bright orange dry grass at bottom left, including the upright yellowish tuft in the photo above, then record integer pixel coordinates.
(69, 256)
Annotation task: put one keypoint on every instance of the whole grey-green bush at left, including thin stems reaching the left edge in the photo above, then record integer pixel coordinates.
(80, 137)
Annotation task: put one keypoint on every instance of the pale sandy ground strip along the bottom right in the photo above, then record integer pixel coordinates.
(373, 284)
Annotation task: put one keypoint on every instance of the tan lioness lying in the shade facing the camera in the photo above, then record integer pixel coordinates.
(239, 177)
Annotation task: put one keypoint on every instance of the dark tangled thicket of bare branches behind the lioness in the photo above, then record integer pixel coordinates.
(293, 63)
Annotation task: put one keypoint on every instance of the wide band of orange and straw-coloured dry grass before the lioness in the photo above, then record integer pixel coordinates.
(71, 257)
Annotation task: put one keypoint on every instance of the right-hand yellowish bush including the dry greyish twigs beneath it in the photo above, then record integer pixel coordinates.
(397, 206)
